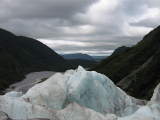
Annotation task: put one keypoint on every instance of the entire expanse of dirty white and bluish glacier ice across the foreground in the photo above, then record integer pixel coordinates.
(78, 95)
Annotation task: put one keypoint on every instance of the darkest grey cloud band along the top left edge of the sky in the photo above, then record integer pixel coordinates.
(28, 9)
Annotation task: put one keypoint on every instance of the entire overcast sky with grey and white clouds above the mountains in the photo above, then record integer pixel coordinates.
(87, 26)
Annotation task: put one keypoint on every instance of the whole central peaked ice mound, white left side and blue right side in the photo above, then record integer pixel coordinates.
(86, 88)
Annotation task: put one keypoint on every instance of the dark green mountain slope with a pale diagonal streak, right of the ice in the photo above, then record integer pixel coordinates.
(136, 69)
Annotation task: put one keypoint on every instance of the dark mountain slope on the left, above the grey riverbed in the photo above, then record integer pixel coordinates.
(20, 55)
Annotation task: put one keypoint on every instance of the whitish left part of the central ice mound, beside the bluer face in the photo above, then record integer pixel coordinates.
(51, 93)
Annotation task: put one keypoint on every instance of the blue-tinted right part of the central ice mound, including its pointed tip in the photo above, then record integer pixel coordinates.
(97, 92)
